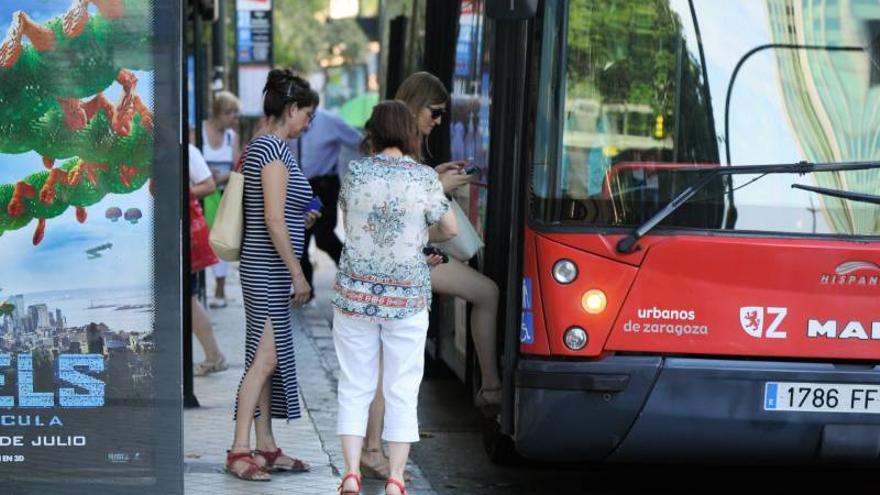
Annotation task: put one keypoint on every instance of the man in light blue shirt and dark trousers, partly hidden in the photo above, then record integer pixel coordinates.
(317, 152)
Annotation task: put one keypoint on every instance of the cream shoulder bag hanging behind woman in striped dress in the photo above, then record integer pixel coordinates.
(228, 228)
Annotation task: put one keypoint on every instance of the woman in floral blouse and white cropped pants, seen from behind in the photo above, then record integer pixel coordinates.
(392, 207)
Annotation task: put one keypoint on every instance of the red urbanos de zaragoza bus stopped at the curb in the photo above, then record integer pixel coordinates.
(679, 203)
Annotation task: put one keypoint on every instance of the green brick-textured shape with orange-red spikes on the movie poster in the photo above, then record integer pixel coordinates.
(46, 72)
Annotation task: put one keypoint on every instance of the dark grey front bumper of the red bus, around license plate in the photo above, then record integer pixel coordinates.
(654, 409)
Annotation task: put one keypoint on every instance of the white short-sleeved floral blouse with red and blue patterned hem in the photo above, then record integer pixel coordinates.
(388, 205)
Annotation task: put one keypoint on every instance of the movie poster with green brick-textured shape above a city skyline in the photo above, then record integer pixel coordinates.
(78, 386)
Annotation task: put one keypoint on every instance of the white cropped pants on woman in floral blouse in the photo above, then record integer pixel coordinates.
(403, 348)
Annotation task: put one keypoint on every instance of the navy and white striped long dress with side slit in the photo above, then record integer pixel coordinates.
(265, 280)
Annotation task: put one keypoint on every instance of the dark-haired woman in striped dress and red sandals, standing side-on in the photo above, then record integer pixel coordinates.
(276, 194)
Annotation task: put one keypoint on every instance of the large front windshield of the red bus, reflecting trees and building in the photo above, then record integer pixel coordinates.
(639, 100)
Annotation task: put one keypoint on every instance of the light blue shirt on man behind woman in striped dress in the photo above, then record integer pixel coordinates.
(322, 143)
